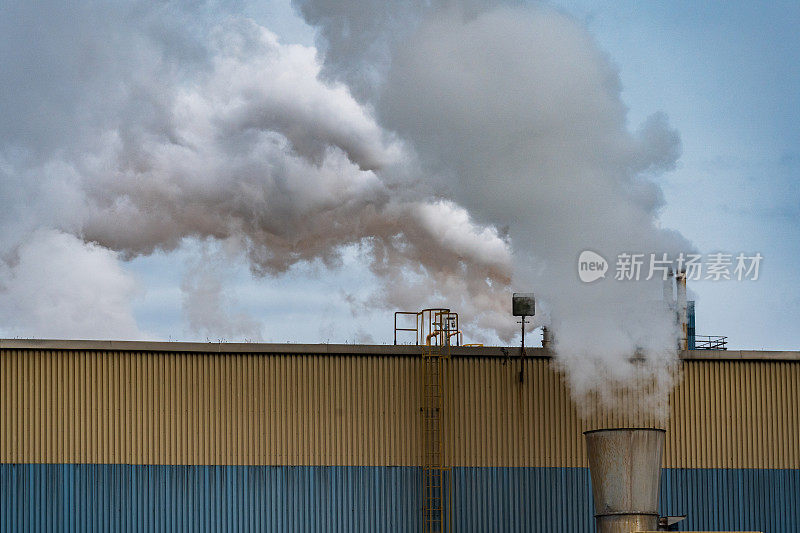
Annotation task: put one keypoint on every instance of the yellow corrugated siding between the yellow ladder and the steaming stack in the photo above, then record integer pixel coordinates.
(502, 422)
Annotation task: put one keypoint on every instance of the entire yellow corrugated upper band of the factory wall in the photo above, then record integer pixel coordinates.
(61, 406)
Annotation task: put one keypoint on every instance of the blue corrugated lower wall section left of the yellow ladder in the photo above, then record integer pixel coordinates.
(208, 498)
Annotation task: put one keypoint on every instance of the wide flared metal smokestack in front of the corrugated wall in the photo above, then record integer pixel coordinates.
(625, 466)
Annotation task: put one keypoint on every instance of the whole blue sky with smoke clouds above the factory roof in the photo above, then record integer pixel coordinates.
(296, 172)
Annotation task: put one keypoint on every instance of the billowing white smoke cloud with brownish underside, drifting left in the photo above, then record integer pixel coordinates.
(148, 131)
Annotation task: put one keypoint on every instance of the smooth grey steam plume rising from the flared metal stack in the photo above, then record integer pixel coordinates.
(518, 116)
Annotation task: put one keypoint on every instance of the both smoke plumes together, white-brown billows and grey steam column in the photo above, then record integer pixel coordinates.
(458, 145)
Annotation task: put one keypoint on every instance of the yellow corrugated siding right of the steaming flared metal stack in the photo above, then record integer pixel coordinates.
(736, 414)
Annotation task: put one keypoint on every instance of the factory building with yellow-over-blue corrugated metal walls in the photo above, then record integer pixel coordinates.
(139, 436)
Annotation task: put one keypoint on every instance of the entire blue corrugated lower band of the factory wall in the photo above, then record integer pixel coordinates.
(41, 497)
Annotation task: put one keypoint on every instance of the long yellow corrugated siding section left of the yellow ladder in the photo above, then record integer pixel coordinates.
(173, 408)
